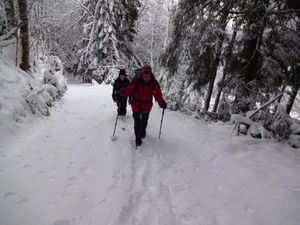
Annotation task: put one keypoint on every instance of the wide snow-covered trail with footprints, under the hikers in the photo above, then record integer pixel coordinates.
(65, 170)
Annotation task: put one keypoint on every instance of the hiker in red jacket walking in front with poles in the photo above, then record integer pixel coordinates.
(141, 90)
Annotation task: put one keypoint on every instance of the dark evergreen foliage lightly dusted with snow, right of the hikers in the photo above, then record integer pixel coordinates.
(264, 55)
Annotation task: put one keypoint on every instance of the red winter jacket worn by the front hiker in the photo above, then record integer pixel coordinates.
(142, 93)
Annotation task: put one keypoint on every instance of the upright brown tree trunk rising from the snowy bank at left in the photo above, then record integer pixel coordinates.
(24, 34)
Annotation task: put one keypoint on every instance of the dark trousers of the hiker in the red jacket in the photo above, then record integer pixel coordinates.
(140, 124)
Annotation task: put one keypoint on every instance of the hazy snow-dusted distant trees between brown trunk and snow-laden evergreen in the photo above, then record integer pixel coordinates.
(55, 29)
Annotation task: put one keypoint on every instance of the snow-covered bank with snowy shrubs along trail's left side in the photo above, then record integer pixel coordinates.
(22, 94)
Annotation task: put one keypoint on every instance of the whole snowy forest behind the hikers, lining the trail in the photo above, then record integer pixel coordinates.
(216, 58)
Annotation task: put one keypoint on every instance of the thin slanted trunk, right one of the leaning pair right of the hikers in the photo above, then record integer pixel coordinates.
(228, 58)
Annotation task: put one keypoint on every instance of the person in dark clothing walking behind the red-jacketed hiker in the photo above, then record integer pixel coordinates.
(120, 84)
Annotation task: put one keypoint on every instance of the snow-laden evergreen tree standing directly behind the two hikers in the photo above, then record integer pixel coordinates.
(109, 28)
